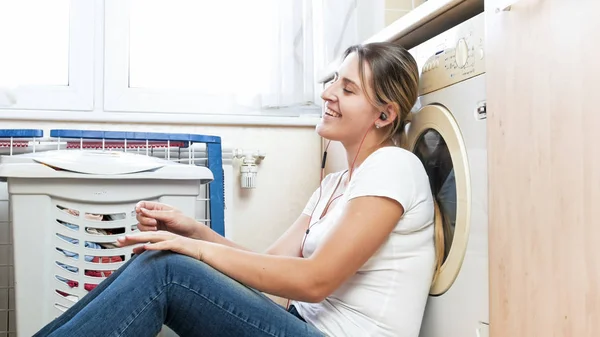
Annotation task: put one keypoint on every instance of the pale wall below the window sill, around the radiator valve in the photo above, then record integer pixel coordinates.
(286, 178)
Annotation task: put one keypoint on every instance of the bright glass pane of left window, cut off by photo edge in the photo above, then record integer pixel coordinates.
(47, 53)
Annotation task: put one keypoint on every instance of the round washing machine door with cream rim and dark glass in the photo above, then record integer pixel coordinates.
(434, 136)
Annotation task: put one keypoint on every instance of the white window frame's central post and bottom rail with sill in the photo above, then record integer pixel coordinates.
(92, 84)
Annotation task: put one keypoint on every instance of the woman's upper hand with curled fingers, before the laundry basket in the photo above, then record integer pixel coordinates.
(154, 216)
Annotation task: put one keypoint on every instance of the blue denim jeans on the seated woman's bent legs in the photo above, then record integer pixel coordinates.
(189, 296)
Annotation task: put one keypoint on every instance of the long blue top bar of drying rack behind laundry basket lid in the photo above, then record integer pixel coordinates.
(122, 135)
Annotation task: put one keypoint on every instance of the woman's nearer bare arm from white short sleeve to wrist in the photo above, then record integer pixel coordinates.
(363, 228)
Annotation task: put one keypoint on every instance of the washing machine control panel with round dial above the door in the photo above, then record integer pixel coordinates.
(462, 59)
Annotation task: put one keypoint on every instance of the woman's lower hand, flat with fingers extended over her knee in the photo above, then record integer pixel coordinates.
(163, 240)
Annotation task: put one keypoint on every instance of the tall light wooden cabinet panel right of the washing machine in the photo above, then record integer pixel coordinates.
(543, 89)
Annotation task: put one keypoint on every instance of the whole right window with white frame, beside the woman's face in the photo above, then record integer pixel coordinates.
(213, 57)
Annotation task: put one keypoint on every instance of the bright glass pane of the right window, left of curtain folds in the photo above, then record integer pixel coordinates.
(198, 45)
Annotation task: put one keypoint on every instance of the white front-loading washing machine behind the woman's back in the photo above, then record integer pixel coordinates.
(447, 131)
